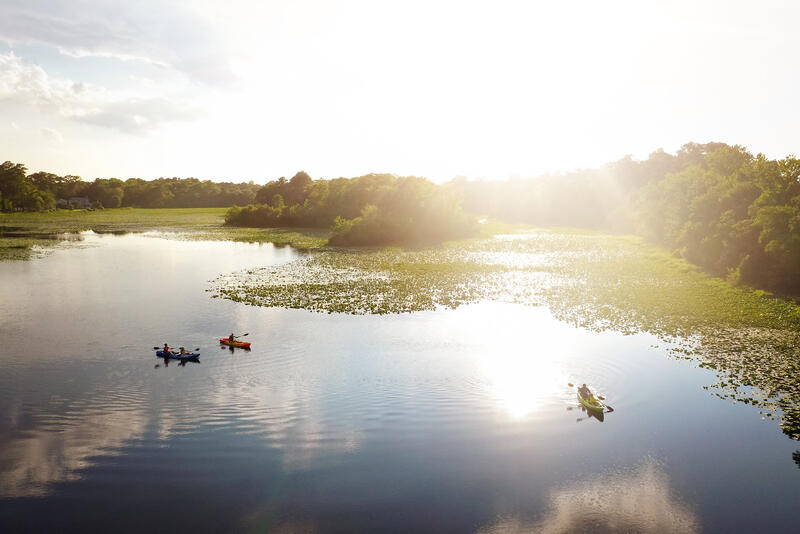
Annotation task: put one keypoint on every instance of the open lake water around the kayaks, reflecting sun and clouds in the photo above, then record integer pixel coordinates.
(448, 421)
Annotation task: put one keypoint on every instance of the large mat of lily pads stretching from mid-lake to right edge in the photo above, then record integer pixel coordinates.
(592, 280)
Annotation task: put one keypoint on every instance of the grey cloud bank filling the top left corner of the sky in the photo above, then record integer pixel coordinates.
(166, 34)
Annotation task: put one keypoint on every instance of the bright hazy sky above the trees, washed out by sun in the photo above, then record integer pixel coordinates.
(256, 90)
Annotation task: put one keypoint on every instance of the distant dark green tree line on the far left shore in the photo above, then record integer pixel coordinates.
(20, 191)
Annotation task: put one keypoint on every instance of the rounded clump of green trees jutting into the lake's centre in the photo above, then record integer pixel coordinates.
(375, 209)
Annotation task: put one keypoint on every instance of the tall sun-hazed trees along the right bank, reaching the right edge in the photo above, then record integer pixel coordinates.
(735, 214)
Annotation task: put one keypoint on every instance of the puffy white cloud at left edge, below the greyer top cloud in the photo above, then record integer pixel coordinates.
(28, 84)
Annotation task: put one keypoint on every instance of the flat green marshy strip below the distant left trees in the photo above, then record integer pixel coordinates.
(25, 235)
